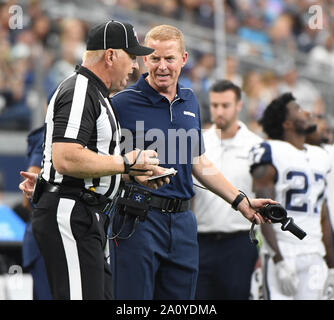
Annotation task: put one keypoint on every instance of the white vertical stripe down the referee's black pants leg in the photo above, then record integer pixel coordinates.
(64, 212)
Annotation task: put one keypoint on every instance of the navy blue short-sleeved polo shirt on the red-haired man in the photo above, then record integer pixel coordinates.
(172, 129)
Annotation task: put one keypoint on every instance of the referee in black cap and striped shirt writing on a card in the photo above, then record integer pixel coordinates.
(82, 165)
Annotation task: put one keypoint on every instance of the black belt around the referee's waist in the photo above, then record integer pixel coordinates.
(89, 197)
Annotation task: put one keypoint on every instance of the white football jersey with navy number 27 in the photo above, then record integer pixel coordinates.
(300, 188)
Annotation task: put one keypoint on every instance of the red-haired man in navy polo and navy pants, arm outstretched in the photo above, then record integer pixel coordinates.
(160, 259)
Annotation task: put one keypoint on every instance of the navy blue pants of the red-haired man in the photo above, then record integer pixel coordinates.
(159, 261)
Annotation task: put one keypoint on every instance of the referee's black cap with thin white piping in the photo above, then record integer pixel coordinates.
(116, 35)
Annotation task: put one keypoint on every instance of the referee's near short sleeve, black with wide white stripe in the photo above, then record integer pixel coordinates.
(75, 121)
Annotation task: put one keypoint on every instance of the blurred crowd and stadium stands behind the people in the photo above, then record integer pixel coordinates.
(265, 46)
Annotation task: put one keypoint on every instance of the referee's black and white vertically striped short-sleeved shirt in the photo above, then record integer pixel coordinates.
(80, 112)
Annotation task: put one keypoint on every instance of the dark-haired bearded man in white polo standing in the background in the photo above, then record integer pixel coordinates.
(226, 255)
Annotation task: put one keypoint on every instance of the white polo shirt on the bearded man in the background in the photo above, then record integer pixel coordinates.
(230, 156)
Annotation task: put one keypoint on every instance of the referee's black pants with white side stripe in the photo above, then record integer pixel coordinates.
(71, 236)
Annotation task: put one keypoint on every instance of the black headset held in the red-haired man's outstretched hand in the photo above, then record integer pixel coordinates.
(276, 214)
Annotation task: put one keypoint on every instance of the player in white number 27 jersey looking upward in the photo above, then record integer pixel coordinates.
(294, 174)
